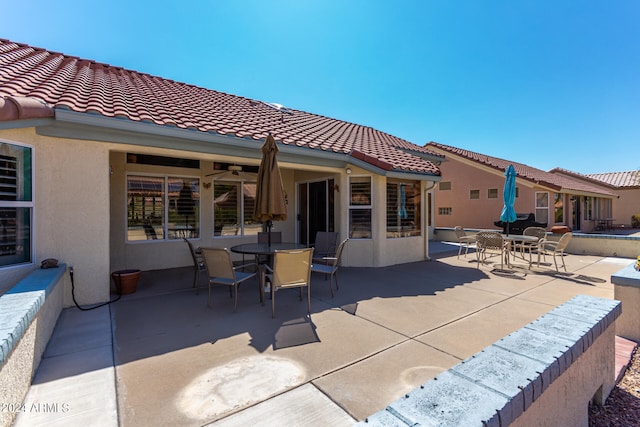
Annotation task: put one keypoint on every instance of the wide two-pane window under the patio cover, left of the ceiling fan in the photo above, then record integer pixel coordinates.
(162, 207)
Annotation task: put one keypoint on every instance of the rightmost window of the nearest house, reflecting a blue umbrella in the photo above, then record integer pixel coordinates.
(403, 208)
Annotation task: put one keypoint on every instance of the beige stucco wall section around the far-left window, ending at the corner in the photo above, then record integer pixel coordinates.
(71, 195)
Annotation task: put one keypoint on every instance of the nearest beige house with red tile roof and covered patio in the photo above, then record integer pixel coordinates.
(106, 168)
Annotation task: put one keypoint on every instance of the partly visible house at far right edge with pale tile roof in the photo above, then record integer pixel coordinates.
(625, 184)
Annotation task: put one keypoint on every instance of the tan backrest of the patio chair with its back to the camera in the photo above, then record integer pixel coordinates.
(292, 268)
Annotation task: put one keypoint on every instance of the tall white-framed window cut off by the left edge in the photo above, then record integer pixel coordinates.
(16, 204)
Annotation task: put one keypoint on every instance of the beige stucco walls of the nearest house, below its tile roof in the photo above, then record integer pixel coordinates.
(80, 211)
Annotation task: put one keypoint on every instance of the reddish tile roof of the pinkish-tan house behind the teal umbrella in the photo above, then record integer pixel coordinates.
(555, 182)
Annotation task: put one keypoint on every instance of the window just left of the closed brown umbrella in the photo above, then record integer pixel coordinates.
(233, 205)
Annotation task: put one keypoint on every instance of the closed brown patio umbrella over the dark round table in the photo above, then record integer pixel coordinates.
(269, 205)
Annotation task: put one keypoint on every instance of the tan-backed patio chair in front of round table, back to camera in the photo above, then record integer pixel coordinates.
(291, 269)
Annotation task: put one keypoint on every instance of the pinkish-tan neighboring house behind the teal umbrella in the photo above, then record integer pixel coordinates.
(470, 193)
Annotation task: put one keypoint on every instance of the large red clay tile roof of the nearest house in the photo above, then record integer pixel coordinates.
(85, 86)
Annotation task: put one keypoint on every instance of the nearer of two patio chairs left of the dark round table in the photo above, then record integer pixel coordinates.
(221, 271)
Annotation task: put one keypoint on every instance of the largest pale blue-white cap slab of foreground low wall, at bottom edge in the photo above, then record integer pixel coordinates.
(451, 400)
